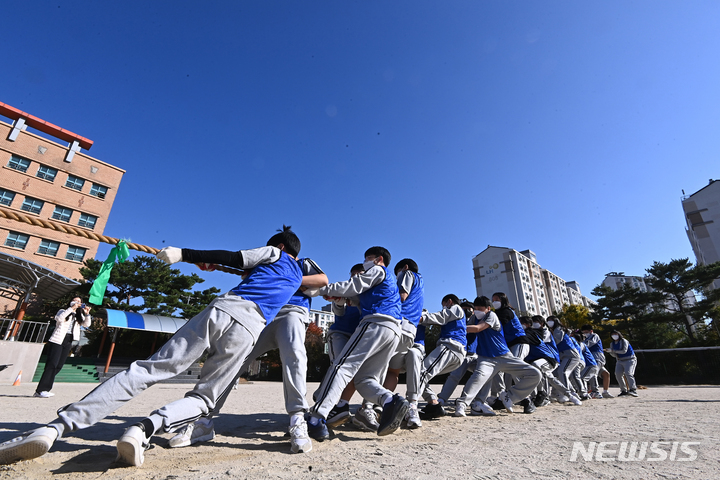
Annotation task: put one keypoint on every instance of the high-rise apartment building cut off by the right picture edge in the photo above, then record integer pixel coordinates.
(702, 214)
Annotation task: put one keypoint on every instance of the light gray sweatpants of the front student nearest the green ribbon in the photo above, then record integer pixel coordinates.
(228, 343)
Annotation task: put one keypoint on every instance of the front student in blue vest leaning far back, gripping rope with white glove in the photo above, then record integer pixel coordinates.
(227, 329)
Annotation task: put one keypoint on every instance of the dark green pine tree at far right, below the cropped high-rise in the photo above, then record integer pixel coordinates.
(673, 289)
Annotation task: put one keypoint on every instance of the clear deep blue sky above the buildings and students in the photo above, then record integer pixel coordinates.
(431, 128)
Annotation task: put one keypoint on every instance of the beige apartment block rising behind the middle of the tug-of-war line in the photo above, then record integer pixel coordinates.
(529, 287)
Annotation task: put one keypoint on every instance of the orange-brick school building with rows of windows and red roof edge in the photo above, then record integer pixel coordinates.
(52, 180)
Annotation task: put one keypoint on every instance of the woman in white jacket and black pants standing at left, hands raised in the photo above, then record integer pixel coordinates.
(67, 330)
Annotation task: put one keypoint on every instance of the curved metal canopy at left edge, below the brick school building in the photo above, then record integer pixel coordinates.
(19, 278)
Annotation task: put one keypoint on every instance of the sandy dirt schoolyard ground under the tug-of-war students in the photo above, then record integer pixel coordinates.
(250, 440)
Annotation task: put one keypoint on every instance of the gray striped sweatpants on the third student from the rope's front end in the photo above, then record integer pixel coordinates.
(365, 358)
